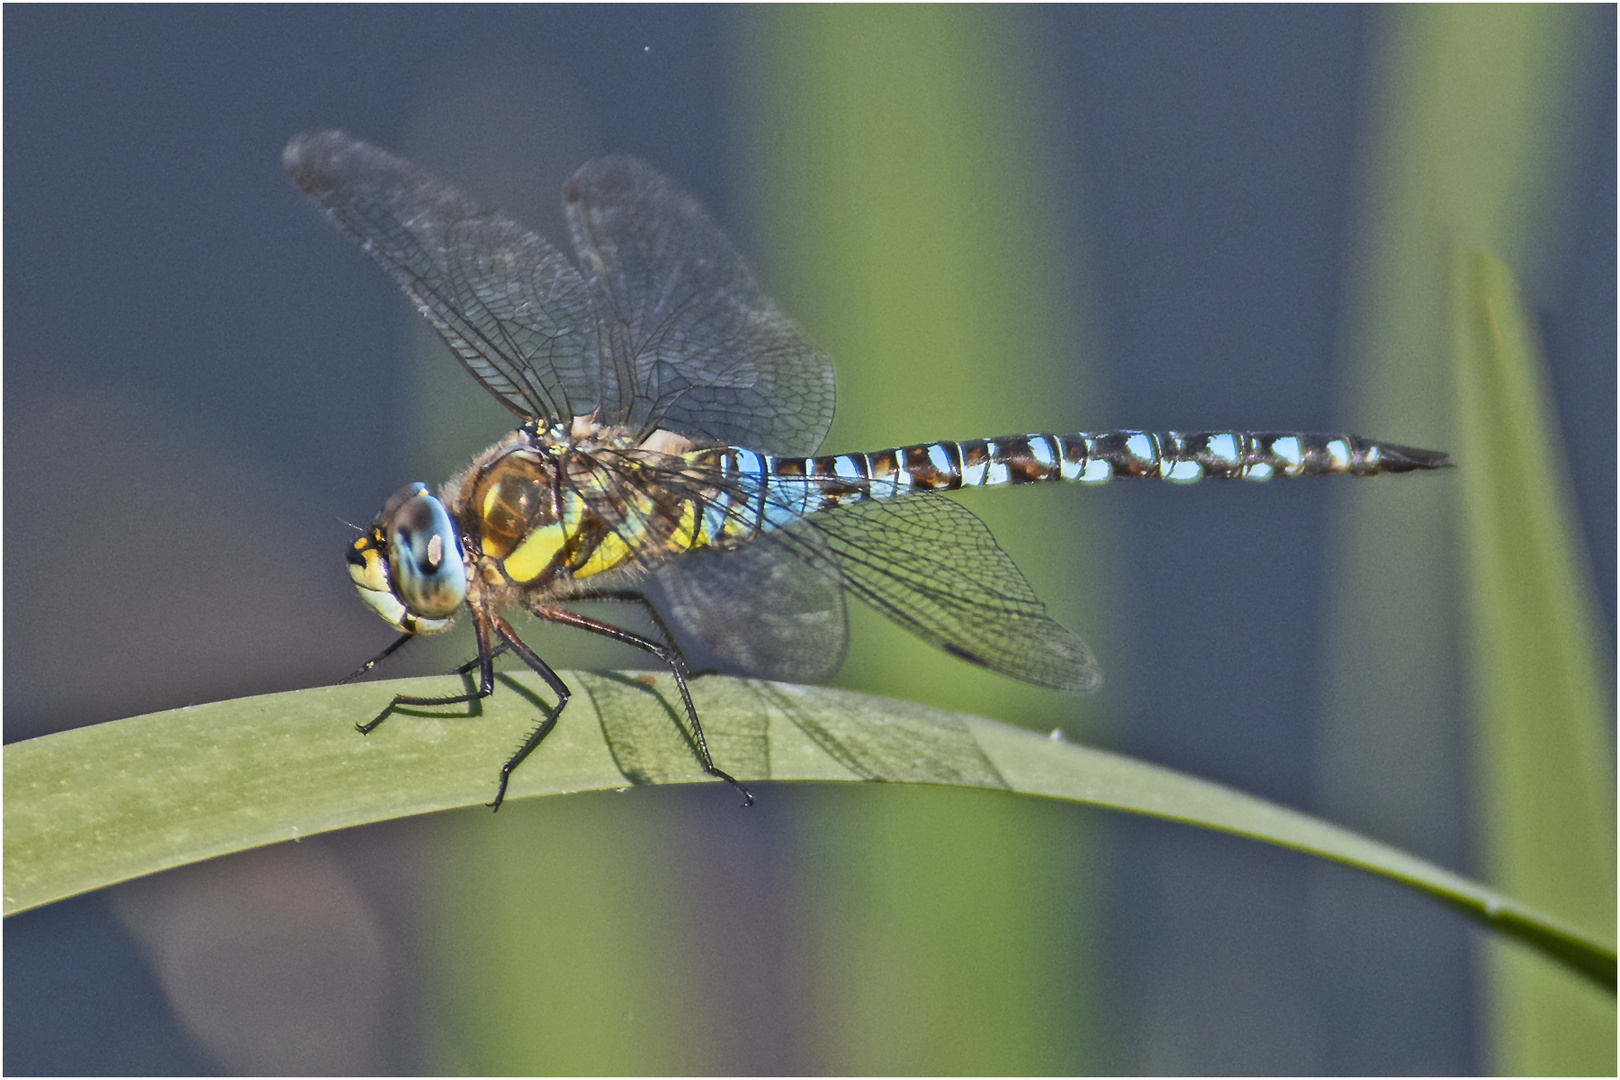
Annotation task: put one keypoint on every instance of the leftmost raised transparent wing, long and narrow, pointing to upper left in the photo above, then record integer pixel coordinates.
(508, 304)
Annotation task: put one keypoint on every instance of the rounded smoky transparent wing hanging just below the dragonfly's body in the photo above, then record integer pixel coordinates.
(775, 608)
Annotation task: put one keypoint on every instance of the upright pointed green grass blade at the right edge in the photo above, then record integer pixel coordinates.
(1541, 700)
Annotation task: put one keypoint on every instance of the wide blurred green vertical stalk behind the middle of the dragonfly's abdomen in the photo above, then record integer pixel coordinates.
(908, 210)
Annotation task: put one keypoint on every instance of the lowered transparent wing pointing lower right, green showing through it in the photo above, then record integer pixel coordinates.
(934, 568)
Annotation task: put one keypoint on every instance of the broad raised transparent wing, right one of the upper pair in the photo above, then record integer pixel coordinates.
(691, 342)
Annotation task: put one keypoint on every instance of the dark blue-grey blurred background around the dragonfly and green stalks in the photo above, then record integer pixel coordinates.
(203, 383)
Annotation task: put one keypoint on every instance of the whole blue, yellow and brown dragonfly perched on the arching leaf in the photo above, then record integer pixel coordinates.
(668, 454)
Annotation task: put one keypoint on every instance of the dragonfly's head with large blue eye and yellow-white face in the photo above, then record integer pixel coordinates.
(409, 566)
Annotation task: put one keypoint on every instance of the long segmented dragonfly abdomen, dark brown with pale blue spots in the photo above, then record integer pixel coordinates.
(798, 487)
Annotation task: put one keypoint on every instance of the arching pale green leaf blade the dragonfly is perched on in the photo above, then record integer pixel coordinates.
(98, 806)
